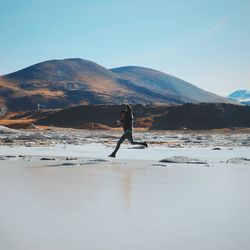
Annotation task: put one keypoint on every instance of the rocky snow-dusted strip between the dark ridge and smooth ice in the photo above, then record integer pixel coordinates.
(174, 139)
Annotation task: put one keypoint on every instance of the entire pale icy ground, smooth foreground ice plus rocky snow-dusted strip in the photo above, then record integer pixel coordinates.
(60, 190)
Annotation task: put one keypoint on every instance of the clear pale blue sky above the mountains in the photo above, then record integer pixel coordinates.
(206, 43)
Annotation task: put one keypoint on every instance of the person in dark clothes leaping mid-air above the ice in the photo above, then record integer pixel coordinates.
(127, 124)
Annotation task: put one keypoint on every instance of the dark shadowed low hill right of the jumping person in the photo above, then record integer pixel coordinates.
(204, 116)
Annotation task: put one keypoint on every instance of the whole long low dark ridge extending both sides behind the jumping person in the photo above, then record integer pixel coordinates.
(188, 116)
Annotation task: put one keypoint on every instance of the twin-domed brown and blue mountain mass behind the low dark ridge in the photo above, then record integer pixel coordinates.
(70, 82)
